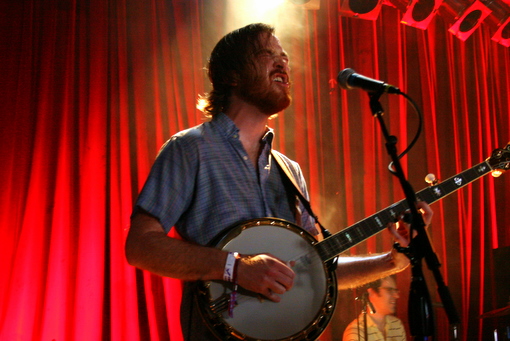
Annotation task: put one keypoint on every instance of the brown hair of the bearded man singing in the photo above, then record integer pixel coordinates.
(230, 59)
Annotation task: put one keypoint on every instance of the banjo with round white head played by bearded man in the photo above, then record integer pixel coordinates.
(304, 311)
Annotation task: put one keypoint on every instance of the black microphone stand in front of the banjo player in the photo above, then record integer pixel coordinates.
(421, 319)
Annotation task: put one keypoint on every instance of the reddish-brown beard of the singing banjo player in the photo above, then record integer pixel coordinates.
(264, 96)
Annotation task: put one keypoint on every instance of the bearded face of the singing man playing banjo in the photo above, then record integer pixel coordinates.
(267, 84)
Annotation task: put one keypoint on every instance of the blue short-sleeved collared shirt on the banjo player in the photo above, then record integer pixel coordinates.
(203, 182)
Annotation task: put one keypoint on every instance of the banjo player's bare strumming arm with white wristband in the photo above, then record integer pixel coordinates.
(148, 247)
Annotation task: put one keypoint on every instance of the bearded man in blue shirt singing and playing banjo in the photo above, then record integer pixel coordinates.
(208, 178)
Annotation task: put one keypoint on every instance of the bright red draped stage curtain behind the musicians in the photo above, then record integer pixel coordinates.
(91, 89)
